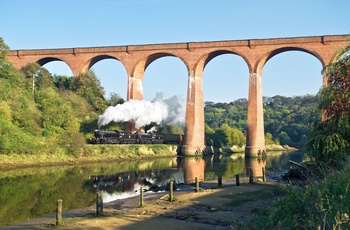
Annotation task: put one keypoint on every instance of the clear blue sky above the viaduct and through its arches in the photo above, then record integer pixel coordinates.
(44, 24)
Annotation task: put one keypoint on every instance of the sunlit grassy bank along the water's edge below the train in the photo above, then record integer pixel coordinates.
(96, 153)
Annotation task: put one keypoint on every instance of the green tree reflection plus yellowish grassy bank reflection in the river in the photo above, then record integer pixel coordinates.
(33, 192)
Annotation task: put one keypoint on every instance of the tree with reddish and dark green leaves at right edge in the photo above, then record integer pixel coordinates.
(329, 140)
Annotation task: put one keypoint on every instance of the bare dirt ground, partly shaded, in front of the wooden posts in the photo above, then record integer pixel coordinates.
(209, 208)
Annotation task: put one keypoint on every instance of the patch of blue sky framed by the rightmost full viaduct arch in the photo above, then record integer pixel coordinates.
(292, 73)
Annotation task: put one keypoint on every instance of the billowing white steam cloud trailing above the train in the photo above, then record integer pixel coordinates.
(160, 111)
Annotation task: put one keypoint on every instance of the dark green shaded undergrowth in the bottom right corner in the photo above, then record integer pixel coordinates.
(323, 204)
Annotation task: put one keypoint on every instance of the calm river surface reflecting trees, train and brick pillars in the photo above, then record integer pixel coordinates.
(31, 193)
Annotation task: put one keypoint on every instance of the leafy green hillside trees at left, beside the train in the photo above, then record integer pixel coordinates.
(53, 115)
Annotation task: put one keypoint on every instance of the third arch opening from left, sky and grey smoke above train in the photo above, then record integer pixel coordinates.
(165, 80)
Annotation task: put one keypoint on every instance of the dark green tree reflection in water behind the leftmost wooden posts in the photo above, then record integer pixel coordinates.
(32, 196)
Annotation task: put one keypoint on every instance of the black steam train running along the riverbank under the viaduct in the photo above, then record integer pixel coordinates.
(121, 137)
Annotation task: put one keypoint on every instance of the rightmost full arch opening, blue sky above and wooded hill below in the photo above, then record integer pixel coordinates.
(290, 80)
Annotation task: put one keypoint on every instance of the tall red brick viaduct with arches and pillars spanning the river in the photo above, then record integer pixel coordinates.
(195, 56)
